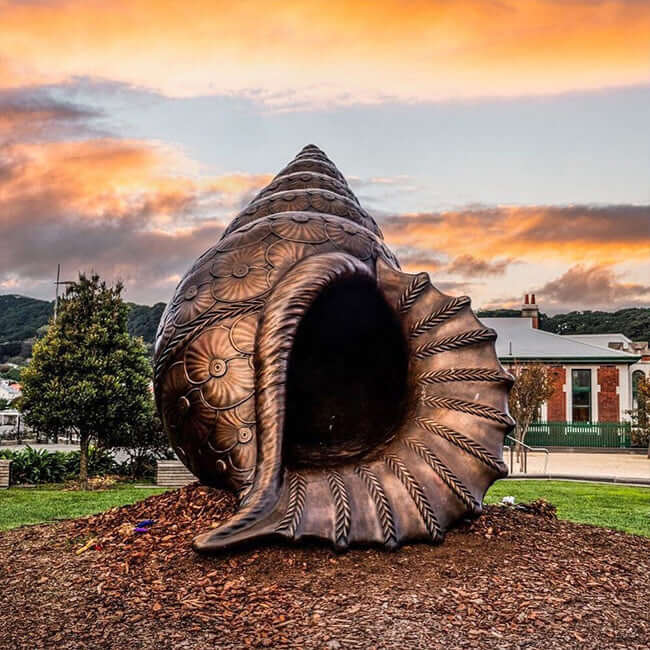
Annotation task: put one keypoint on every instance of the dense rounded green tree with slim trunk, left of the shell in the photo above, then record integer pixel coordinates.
(87, 375)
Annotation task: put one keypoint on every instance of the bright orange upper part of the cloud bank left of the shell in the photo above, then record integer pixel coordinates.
(93, 179)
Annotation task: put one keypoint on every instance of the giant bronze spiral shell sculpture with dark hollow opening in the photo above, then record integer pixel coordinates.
(339, 398)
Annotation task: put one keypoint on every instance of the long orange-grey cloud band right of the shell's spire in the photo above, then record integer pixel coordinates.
(609, 234)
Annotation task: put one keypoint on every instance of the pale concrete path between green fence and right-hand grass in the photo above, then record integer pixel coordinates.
(627, 466)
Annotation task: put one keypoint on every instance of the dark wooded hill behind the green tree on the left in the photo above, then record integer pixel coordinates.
(21, 317)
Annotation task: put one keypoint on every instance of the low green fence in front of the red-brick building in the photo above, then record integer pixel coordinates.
(579, 434)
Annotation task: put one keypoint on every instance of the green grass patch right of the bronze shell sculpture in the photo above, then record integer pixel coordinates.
(613, 506)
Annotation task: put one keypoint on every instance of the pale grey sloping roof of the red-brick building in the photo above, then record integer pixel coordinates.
(518, 340)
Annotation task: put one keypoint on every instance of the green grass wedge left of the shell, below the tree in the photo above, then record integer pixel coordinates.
(19, 506)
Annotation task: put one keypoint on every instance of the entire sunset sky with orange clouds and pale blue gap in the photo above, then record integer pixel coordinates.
(502, 145)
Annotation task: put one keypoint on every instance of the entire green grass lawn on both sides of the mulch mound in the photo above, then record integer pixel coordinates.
(613, 506)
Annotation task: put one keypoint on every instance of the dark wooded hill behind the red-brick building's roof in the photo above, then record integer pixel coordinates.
(633, 322)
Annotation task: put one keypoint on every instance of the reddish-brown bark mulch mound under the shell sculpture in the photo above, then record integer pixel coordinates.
(514, 578)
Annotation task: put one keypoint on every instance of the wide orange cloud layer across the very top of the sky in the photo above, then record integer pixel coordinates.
(295, 52)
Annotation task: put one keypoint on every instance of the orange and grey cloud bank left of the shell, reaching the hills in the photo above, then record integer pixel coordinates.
(122, 207)
